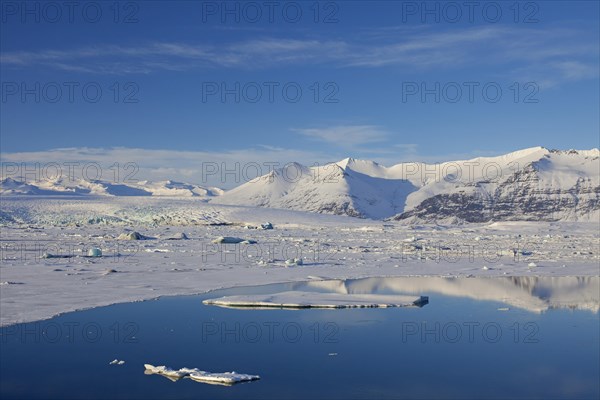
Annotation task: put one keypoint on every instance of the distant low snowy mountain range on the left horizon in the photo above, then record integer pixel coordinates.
(65, 186)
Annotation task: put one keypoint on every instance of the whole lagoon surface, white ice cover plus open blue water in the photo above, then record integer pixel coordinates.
(513, 307)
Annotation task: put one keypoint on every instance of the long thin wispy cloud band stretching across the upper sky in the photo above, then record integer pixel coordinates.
(559, 53)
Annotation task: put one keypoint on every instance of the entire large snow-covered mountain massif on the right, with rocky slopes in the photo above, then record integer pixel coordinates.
(530, 184)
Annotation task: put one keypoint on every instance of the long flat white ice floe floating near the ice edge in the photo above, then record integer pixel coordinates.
(297, 299)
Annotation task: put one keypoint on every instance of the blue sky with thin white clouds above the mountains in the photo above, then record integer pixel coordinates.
(361, 69)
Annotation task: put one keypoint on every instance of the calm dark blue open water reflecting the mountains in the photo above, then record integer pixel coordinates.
(477, 338)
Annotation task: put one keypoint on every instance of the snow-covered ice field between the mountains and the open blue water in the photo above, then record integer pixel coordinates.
(44, 269)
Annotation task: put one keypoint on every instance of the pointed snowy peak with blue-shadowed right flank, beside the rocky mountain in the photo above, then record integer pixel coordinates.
(347, 188)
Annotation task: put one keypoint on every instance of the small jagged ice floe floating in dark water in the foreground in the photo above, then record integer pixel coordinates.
(218, 378)
